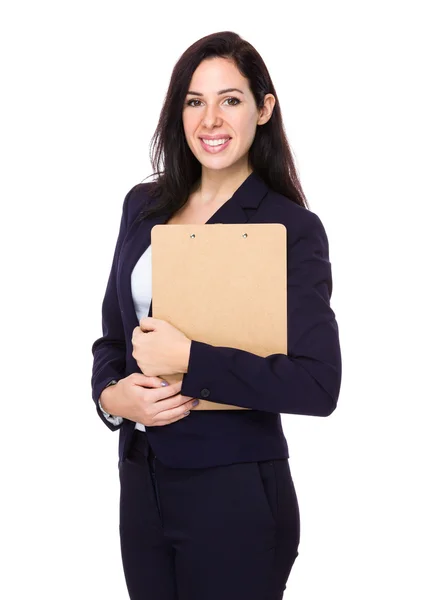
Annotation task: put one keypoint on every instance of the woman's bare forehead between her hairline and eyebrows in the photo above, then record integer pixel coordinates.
(214, 74)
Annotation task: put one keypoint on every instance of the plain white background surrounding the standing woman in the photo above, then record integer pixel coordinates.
(82, 87)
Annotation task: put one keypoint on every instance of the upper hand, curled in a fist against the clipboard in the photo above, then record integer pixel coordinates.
(160, 348)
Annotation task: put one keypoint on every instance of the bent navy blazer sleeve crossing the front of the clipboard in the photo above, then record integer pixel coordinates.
(306, 381)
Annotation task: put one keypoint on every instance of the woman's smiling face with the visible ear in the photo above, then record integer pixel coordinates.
(220, 115)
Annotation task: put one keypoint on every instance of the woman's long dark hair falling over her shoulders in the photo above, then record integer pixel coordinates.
(270, 155)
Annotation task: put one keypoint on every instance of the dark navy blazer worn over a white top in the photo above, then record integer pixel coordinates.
(306, 381)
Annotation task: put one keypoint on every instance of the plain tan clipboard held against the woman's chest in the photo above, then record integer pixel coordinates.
(224, 284)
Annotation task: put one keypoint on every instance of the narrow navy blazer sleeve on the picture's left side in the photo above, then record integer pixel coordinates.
(109, 351)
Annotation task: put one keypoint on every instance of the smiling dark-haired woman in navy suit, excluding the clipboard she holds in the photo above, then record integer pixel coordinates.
(208, 508)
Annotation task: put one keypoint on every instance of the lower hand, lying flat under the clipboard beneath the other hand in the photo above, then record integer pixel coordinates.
(144, 400)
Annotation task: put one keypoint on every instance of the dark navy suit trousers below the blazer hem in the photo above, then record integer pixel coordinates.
(226, 532)
